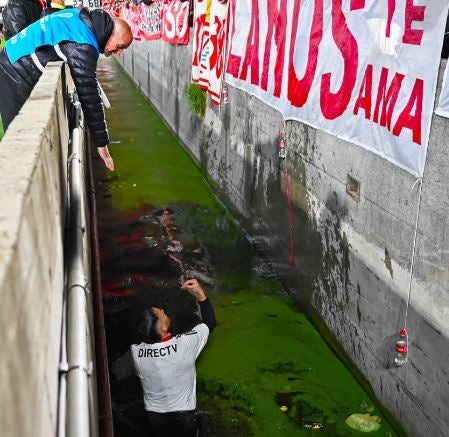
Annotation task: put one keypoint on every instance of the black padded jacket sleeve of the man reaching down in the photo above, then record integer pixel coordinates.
(82, 61)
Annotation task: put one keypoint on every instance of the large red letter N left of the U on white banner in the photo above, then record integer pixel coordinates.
(277, 17)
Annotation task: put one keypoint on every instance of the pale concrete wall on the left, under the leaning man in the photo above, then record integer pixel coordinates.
(33, 193)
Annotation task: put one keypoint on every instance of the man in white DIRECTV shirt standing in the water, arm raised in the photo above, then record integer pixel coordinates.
(166, 368)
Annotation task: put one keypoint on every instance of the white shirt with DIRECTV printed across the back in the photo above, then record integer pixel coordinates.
(167, 370)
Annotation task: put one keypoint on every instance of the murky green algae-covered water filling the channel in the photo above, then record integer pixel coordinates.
(265, 371)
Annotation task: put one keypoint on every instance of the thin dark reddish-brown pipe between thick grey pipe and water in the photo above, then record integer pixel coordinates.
(104, 389)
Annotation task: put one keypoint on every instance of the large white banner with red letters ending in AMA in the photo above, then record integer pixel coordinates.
(363, 70)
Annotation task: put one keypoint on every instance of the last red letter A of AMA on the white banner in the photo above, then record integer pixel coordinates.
(406, 119)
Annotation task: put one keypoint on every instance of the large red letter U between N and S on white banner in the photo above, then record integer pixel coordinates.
(298, 89)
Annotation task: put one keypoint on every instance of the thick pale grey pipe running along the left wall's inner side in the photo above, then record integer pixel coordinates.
(78, 370)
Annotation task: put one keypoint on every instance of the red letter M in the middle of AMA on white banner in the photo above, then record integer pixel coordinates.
(387, 98)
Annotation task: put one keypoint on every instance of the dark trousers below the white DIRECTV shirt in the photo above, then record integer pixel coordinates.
(174, 424)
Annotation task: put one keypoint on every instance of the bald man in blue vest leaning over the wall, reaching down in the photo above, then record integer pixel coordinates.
(77, 38)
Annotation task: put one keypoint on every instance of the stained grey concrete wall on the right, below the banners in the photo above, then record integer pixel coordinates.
(352, 257)
